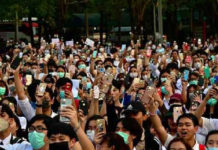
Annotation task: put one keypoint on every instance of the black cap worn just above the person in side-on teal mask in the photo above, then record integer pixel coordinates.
(134, 108)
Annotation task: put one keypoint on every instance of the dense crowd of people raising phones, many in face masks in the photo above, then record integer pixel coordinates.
(90, 96)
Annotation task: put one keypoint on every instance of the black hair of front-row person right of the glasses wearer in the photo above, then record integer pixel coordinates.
(62, 128)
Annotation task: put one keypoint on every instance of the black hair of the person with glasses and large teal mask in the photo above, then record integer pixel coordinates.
(46, 120)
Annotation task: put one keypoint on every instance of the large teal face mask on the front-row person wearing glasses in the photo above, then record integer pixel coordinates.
(36, 139)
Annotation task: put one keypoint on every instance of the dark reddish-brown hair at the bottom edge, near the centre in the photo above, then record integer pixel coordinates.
(115, 140)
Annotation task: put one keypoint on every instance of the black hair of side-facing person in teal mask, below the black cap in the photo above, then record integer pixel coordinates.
(131, 125)
